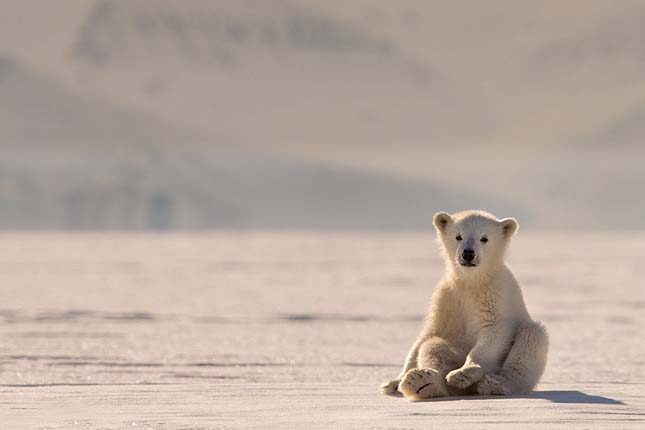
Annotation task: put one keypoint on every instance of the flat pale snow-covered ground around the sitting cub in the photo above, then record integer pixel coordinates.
(227, 330)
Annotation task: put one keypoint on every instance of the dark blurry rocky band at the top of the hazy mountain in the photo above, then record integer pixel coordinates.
(220, 31)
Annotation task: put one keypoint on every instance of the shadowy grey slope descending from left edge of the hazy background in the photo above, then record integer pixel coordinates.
(37, 111)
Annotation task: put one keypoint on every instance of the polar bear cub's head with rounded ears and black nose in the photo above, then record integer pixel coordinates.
(473, 241)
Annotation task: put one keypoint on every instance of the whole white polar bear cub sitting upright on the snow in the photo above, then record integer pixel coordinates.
(478, 337)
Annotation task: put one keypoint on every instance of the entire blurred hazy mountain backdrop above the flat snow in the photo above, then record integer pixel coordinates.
(160, 114)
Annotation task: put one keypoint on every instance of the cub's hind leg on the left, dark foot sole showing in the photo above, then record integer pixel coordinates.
(435, 359)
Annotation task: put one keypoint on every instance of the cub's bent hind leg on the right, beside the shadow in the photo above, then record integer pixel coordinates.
(523, 366)
